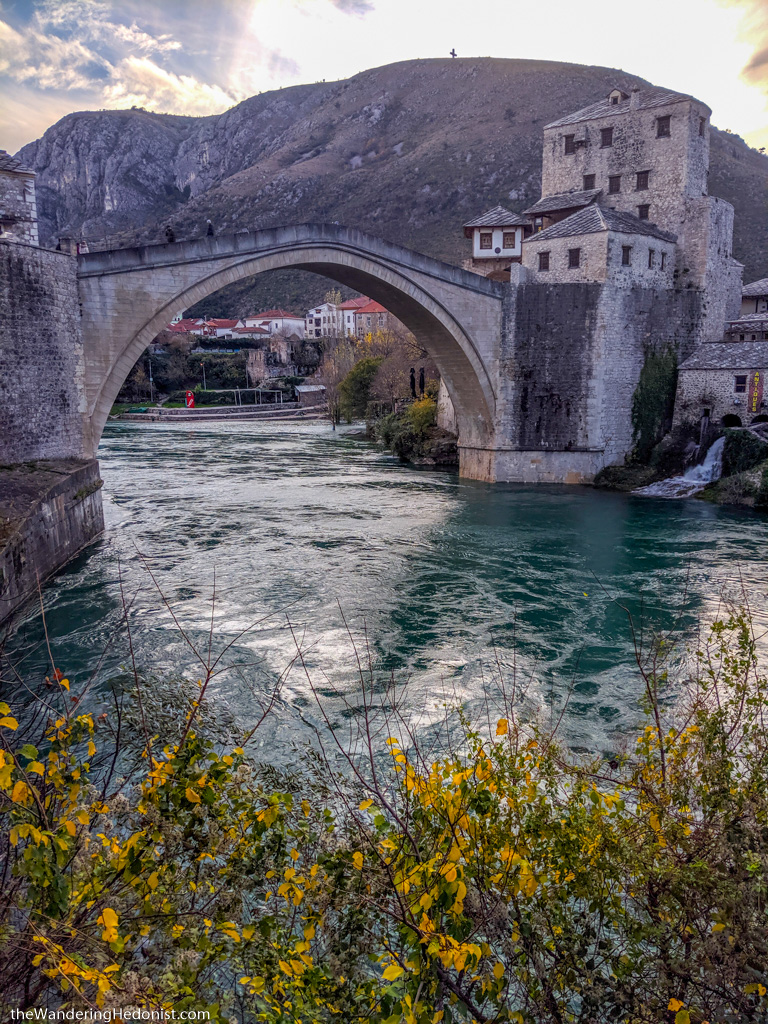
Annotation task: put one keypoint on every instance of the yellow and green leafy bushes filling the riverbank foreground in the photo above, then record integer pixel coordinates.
(483, 875)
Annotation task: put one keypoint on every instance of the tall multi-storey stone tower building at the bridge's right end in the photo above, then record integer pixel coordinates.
(625, 254)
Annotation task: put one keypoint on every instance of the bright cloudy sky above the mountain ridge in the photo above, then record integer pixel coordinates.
(201, 57)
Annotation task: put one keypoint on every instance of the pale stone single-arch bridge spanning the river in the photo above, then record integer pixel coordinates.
(127, 296)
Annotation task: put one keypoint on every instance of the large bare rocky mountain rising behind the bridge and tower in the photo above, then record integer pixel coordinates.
(409, 152)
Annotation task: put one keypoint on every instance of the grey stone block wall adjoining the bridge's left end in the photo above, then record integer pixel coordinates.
(42, 409)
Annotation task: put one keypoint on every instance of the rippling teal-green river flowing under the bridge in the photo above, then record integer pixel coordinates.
(323, 540)
